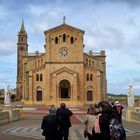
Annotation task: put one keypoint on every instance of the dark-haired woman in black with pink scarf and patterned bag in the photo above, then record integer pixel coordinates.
(107, 124)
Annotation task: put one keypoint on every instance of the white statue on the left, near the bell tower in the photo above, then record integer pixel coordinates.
(7, 97)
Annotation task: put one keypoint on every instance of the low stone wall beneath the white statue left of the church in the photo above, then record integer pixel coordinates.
(10, 114)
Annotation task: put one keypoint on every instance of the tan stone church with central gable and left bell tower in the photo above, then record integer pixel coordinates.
(63, 73)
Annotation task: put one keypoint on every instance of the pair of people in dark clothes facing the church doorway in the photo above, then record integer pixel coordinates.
(56, 124)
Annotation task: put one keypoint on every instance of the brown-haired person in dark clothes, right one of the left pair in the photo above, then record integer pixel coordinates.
(63, 119)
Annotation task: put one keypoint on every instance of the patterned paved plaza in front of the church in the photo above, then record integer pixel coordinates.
(29, 127)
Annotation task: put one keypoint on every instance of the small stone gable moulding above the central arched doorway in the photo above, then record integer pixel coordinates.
(64, 69)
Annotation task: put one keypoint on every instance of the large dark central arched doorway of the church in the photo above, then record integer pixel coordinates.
(64, 89)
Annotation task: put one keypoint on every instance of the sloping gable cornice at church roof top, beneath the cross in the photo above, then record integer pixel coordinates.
(63, 26)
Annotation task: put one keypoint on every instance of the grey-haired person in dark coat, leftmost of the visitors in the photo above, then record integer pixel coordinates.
(49, 125)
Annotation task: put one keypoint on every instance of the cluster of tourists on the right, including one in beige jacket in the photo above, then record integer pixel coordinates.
(104, 122)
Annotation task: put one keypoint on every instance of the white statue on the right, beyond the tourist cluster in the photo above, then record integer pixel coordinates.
(130, 96)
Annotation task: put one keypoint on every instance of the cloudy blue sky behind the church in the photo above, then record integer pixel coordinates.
(110, 25)
